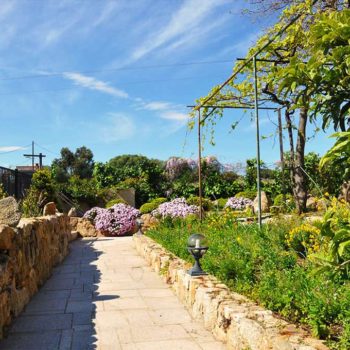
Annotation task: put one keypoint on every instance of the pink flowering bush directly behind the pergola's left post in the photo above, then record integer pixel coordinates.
(177, 208)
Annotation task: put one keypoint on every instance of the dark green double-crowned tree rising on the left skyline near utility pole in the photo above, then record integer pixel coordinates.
(80, 164)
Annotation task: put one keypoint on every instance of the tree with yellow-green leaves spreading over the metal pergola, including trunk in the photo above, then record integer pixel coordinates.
(292, 81)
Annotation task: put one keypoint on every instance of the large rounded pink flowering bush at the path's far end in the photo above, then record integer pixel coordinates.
(116, 220)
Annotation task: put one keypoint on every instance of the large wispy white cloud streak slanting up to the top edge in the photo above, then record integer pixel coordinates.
(190, 16)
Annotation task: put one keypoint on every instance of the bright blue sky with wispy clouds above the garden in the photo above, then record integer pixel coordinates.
(116, 76)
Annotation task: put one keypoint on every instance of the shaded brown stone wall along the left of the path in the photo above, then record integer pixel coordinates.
(27, 255)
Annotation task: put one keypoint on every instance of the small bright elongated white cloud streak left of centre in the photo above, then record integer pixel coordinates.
(94, 84)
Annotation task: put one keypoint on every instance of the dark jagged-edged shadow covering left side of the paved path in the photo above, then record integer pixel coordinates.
(60, 315)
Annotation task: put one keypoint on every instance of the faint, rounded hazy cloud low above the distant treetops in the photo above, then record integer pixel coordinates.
(117, 127)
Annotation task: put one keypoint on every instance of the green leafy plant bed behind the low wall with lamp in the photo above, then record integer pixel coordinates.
(258, 263)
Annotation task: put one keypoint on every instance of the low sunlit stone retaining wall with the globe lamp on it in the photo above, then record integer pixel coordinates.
(231, 317)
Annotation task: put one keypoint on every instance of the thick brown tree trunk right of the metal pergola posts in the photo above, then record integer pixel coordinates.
(300, 181)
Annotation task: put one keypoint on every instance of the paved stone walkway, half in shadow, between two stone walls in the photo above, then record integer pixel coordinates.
(104, 296)
